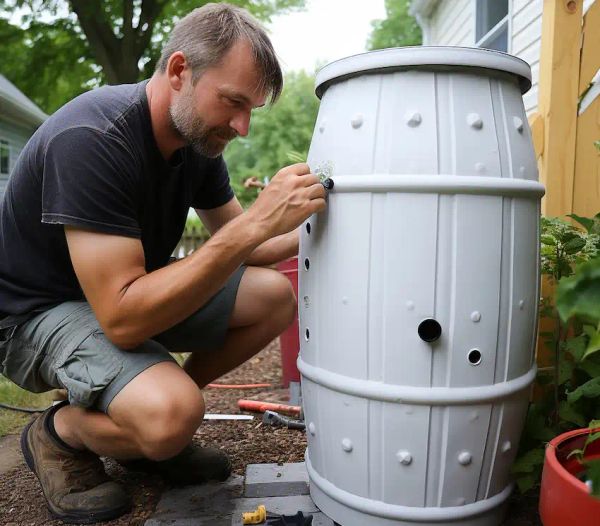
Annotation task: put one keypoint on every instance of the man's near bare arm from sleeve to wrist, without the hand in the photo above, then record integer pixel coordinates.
(132, 305)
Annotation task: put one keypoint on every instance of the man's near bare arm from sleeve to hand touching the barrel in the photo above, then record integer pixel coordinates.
(132, 305)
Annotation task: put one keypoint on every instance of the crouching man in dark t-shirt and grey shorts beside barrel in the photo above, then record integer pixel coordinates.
(96, 204)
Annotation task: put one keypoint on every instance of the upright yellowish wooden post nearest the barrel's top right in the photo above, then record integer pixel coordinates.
(558, 95)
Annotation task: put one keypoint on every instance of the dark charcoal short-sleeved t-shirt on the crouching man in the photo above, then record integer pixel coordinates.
(95, 164)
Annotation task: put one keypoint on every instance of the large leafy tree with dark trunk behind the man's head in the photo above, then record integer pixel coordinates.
(62, 48)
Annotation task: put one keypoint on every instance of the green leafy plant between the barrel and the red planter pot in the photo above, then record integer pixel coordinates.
(570, 261)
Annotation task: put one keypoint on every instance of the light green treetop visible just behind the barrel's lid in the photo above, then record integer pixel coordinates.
(398, 29)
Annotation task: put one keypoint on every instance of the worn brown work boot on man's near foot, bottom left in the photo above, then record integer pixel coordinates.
(76, 488)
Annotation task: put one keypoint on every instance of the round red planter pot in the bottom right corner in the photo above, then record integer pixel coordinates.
(564, 499)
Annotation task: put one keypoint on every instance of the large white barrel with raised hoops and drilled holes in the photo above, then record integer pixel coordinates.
(419, 287)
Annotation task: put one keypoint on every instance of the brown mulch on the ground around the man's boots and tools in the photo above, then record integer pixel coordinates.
(22, 502)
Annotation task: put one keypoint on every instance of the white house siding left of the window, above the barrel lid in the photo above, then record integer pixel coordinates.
(452, 23)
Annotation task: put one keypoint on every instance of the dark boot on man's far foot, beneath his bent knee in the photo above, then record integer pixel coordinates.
(194, 465)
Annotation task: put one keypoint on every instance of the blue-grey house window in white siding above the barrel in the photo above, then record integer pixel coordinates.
(491, 27)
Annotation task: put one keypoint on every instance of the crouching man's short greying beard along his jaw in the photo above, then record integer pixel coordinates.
(194, 131)
